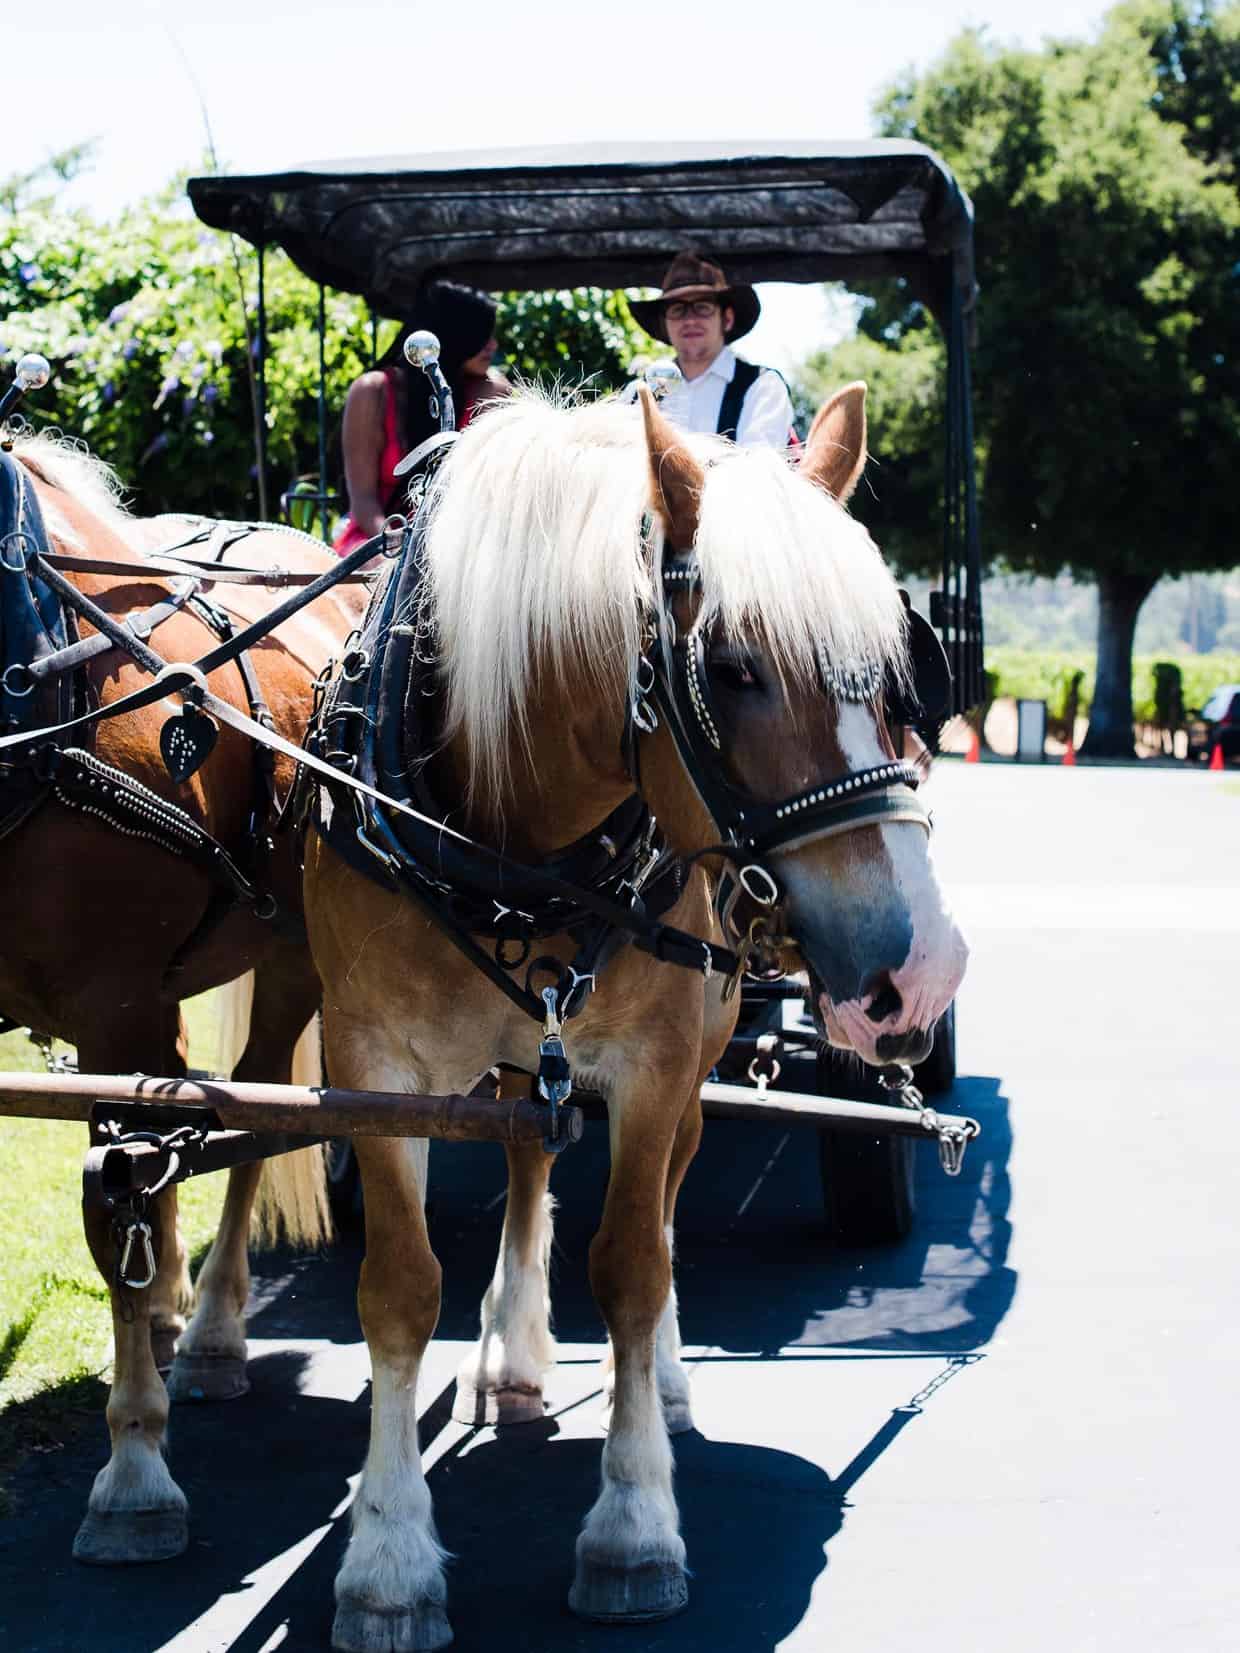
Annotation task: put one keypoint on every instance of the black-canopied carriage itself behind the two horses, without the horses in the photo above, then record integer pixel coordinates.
(608, 216)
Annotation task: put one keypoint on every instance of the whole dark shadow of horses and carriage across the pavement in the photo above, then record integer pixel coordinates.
(269, 1479)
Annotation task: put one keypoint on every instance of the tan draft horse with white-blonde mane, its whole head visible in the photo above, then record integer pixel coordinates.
(541, 586)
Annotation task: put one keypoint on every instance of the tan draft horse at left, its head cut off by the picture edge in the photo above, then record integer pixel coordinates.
(103, 940)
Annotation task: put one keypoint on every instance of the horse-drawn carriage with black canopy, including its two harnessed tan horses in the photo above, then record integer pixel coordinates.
(566, 641)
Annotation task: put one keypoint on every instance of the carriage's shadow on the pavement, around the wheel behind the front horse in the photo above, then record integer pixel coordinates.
(755, 1269)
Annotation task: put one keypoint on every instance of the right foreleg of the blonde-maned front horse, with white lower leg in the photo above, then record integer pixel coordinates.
(631, 1556)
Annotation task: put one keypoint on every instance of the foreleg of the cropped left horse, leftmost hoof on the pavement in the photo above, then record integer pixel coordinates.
(136, 1512)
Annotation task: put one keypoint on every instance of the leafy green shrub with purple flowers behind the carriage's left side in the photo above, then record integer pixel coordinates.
(148, 323)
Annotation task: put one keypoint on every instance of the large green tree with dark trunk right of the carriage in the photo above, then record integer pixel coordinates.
(1109, 254)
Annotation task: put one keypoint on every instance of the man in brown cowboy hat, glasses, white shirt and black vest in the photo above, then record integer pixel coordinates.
(702, 315)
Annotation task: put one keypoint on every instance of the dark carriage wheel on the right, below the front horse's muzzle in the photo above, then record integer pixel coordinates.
(867, 1181)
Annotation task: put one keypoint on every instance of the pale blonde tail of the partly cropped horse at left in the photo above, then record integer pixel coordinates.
(292, 1203)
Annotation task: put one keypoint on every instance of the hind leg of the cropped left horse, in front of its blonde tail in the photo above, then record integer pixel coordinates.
(212, 1351)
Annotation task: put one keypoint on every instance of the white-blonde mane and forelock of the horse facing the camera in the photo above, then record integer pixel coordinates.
(537, 555)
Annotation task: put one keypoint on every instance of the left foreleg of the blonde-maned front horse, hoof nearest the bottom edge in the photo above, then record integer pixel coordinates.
(391, 1591)
